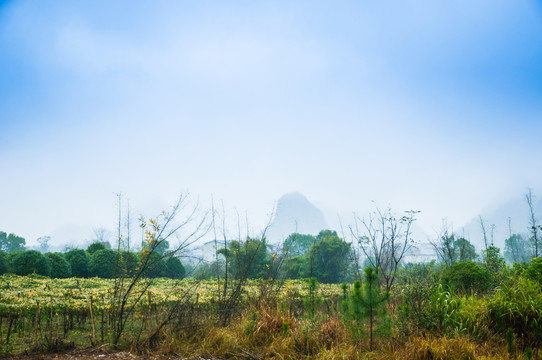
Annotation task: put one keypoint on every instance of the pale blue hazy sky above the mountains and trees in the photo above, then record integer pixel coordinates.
(424, 105)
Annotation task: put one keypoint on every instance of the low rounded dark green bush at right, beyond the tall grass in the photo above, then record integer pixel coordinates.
(466, 276)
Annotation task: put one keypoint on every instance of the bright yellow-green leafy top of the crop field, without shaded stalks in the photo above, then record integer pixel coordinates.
(23, 293)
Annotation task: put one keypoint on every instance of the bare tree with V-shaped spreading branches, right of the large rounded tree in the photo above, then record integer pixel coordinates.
(385, 240)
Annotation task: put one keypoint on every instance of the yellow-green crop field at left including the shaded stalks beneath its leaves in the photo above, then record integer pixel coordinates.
(36, 312)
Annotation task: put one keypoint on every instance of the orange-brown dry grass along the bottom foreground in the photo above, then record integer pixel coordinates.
(267, 333)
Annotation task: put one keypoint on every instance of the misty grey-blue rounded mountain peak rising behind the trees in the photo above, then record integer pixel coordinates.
(295, 213)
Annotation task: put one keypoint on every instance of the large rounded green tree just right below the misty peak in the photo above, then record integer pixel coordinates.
(329, 257)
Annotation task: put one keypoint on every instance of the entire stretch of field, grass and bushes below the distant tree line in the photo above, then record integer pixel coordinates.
(262, 319)
